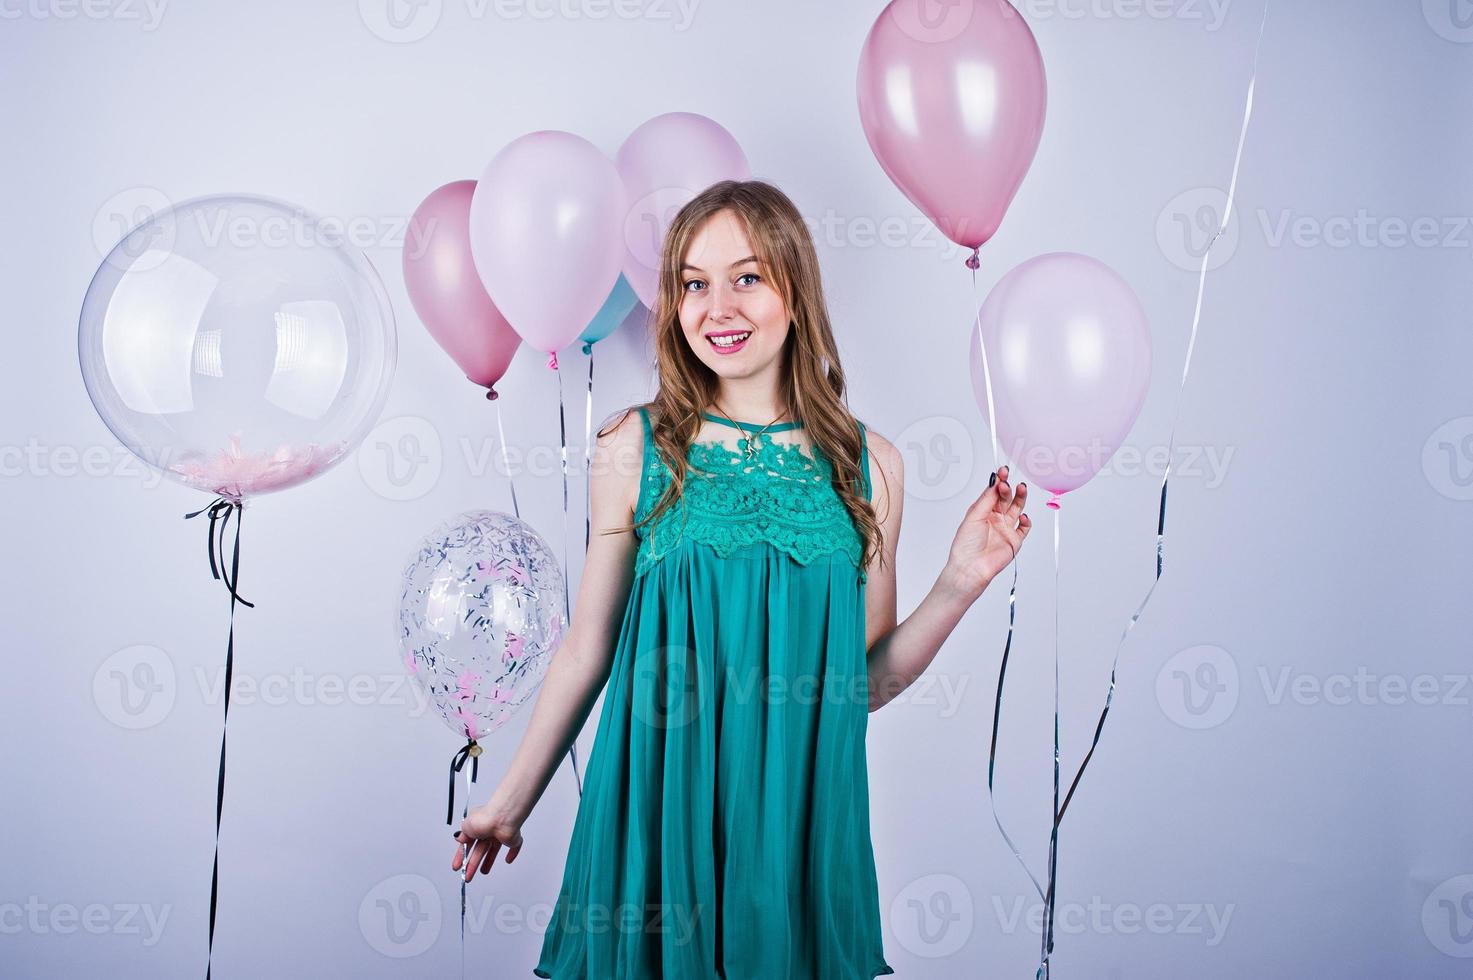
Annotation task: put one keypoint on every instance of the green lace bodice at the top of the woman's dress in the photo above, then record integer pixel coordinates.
(780, 494)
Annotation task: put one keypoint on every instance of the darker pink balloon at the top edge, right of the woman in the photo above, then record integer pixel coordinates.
(954, 108)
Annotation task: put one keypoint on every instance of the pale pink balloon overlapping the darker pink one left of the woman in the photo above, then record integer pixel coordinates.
(547, 235)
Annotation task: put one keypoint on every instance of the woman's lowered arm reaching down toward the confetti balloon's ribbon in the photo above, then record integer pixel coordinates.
(581, 665)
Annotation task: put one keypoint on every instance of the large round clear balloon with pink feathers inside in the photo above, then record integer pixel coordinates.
(238, 344)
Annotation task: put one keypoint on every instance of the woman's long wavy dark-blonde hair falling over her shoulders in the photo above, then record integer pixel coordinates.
(812, 381)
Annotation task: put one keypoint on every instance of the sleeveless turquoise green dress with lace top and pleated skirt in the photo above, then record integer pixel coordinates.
(724, 829)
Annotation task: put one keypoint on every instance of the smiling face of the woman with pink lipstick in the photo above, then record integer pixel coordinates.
(731, 315)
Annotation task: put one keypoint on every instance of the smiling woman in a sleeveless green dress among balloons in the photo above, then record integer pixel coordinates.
(740, 602)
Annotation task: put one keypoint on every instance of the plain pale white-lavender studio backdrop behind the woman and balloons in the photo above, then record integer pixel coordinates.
(1282, 789)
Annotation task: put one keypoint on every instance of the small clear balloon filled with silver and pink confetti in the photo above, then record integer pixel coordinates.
(481, 617)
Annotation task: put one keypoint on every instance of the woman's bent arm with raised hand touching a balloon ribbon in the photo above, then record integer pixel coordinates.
(989, 539)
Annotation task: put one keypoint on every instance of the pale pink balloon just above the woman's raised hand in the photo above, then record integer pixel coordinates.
(1069, 350)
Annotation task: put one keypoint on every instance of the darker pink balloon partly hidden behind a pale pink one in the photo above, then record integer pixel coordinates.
(447, 291)
